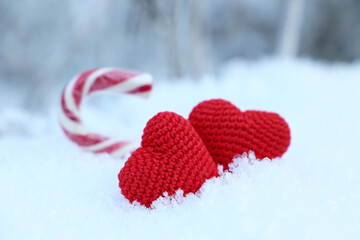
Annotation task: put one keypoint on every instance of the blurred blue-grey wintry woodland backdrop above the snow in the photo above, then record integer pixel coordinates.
(44, 43)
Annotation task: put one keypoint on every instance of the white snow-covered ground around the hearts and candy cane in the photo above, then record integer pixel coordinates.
(50, 189)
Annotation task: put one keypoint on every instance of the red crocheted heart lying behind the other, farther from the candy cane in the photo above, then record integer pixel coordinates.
(226, 131)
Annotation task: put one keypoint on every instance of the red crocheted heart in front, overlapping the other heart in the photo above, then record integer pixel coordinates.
(172, 156)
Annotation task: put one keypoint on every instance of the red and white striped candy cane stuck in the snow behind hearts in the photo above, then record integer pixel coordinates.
(83, 85)
